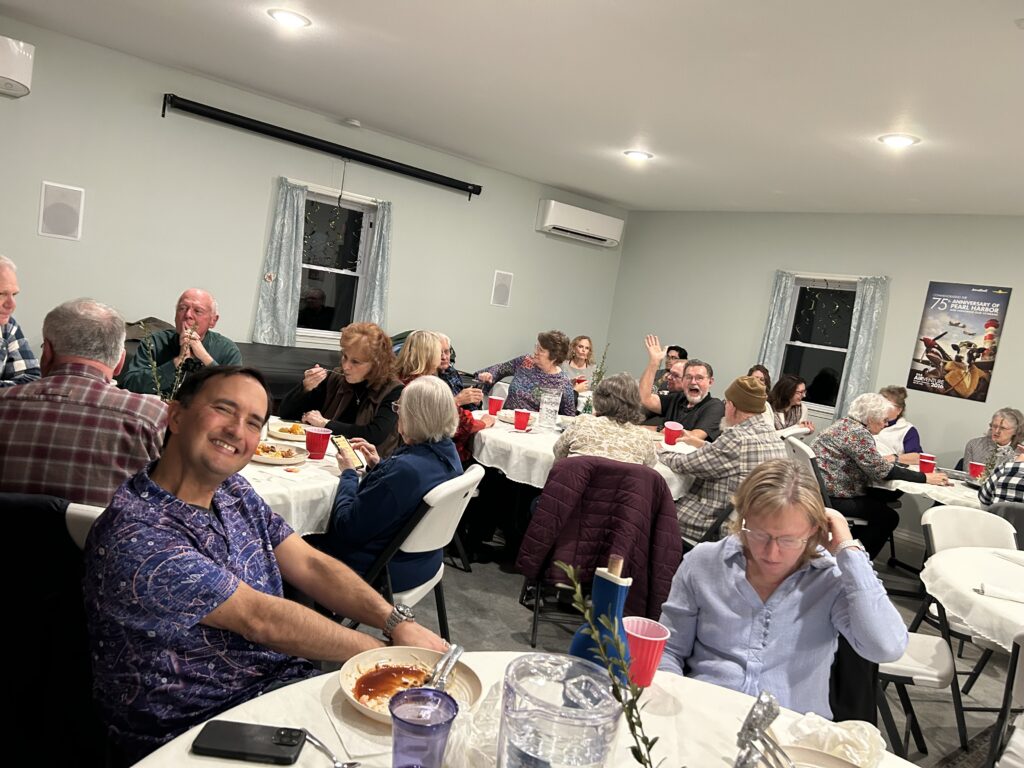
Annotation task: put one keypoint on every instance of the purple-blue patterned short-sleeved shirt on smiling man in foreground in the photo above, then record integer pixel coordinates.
(155, 568)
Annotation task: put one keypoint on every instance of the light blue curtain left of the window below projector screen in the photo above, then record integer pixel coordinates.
(278, 306)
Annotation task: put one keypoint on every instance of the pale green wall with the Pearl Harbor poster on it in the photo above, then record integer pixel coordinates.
(703, 281)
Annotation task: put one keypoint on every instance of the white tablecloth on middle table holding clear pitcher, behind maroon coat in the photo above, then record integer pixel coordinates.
(527, 457)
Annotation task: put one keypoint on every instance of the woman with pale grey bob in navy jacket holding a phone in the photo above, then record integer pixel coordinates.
(368, 516)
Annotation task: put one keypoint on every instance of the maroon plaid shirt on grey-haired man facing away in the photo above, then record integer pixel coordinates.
(76, 436)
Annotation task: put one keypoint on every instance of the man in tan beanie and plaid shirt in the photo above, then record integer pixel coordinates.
(719, 467)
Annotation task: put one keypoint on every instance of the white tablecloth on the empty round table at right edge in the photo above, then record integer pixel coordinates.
(951, 577)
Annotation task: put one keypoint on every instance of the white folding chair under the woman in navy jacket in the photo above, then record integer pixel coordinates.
(447, 504)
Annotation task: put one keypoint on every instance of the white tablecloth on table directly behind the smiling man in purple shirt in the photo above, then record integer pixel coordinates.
(305, 497)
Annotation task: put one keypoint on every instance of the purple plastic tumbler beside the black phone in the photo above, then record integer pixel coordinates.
(421, 720)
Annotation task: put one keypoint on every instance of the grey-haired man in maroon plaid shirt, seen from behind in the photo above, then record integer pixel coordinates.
(73, 434)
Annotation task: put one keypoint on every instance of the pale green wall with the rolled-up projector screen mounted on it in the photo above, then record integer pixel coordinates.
(178, 202)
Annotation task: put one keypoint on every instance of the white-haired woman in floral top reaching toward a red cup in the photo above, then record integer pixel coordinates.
(851, 463)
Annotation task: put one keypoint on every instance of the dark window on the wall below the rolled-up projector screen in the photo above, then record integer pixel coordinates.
(337, 235)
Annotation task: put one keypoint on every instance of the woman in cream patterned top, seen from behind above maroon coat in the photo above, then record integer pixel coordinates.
(613, 432)
